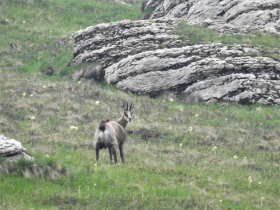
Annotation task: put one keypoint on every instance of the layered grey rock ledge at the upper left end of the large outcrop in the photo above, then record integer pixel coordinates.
(106, 44)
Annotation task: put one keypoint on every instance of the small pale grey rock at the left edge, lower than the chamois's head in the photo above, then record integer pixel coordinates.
(12, 149)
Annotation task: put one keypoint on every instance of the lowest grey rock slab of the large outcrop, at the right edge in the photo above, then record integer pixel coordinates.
(241, 88)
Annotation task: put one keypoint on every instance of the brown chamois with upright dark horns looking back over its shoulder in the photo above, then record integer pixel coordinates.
(111, 134)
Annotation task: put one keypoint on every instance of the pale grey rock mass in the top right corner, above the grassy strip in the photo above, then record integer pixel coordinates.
(243, 15)
